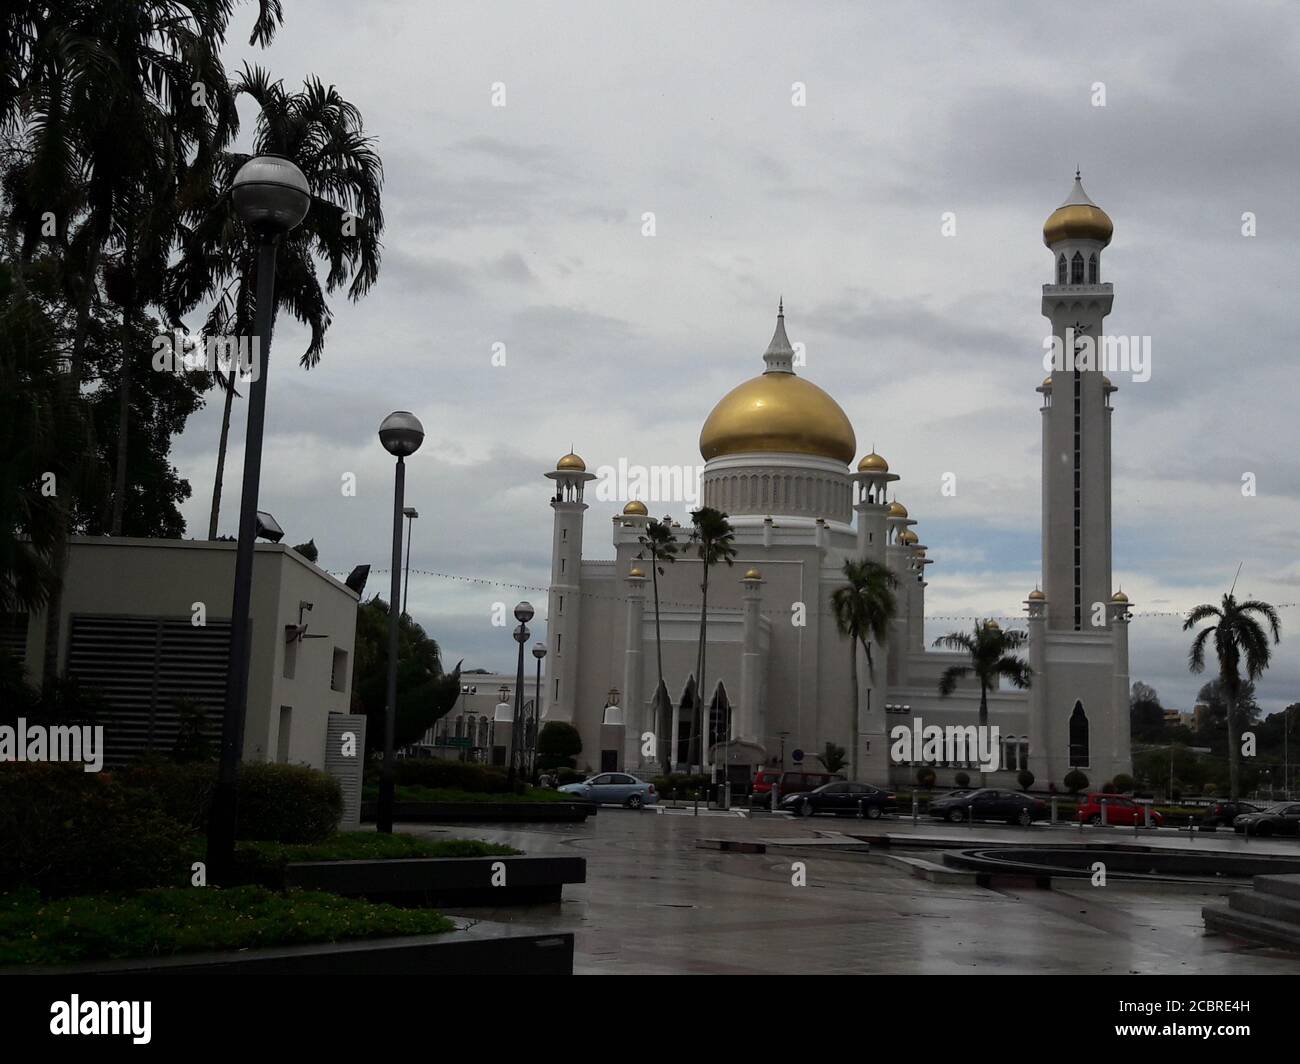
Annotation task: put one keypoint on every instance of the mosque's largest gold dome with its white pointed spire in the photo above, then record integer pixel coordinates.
(778, 413)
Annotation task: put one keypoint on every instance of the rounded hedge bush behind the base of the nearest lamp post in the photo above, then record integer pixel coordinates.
(278, 803)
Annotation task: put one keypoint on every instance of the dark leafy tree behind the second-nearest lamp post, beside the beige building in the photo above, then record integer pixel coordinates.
(426, 693)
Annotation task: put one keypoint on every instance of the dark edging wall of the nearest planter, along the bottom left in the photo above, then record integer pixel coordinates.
(479, 950)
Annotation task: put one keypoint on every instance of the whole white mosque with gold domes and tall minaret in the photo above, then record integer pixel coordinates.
(779, 461)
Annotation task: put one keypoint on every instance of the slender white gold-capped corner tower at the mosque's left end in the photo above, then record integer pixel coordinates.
(566, 595)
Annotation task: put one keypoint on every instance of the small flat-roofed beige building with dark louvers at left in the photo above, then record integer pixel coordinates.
(146, 625)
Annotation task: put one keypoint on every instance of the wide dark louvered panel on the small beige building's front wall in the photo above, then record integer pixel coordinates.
(141, 667)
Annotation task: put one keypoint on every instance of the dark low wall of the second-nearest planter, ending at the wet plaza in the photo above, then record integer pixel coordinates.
(443, 881)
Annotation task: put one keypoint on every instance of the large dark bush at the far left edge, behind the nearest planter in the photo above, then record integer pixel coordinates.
(68, 832)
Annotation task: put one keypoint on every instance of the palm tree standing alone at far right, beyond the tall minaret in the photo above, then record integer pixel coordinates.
(1237, 635)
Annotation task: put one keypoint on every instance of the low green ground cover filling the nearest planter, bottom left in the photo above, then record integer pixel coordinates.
(167, 922)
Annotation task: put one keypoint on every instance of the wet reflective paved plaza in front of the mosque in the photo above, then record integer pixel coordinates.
(655, 903)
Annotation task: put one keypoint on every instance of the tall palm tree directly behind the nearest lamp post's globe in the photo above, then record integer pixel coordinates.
(324, 135)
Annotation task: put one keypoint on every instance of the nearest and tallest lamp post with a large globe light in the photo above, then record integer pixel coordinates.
(272, 198)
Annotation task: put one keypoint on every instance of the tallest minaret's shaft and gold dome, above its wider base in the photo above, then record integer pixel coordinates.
(1077, 421)
